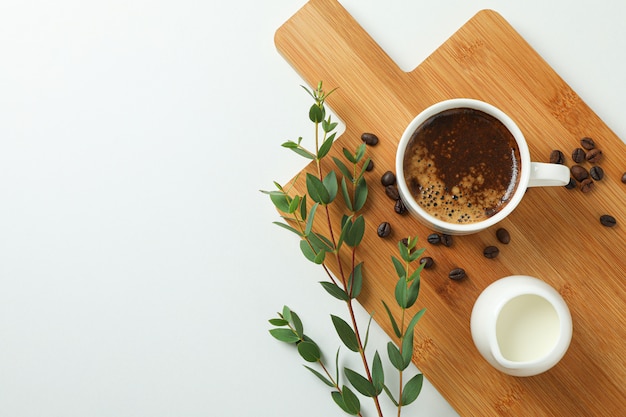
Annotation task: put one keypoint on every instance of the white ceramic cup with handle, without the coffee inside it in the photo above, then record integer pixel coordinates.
(531, 174)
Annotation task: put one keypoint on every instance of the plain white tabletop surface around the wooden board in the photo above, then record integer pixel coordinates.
(138, 262)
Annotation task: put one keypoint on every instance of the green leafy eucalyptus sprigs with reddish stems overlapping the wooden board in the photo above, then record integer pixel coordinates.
(299, 212)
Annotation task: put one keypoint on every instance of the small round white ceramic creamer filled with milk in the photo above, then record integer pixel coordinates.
(521, 325)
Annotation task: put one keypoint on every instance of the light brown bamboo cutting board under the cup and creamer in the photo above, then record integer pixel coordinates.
(556, 233)
